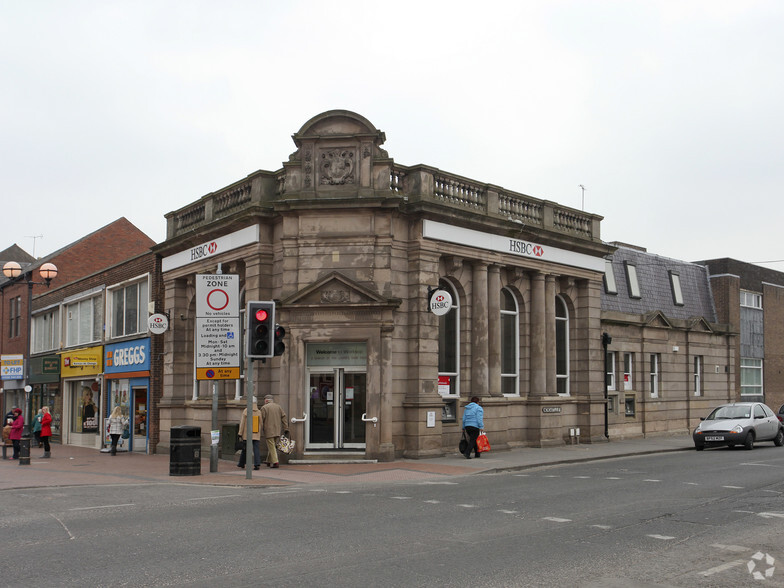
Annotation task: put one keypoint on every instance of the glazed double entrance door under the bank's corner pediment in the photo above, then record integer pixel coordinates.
(337, 402)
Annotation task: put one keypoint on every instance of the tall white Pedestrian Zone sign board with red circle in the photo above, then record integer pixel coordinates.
(218, 329)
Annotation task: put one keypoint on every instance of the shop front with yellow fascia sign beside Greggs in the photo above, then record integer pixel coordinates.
(81, 371)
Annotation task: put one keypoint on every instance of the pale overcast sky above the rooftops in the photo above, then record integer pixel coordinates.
(668, 112)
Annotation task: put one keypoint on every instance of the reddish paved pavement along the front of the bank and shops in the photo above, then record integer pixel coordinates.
(77, 466)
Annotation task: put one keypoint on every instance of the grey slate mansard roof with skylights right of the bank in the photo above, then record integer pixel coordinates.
(653, 275)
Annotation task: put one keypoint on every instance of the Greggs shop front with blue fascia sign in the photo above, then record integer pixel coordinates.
(127, 374)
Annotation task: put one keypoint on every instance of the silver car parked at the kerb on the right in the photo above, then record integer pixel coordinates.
(739, 423)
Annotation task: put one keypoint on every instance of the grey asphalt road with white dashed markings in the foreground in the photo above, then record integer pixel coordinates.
(676, 519)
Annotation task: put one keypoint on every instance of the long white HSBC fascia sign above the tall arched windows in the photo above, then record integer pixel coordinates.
(491, 242)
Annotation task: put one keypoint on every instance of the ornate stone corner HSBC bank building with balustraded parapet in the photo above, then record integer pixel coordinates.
(350, 244)
